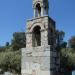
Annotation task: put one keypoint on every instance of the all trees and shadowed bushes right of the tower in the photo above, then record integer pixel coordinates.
(67, 55)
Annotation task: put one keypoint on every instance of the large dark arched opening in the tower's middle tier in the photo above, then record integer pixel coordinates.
(36, 37)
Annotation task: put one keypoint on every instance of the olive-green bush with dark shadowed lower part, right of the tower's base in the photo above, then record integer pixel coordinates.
(68, 58)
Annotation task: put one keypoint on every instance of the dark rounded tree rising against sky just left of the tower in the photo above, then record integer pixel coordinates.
(19, 40)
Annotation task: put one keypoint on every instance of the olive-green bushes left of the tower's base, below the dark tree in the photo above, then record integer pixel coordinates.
(10, 61)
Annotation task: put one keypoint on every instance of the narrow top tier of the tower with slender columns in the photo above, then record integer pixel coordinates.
(40, 7)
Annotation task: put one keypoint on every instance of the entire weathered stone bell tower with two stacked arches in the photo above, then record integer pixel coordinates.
(40, 56)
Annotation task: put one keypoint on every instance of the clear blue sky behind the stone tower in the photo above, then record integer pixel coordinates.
(14, 13)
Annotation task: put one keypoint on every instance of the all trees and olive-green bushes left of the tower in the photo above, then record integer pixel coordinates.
(10, 55)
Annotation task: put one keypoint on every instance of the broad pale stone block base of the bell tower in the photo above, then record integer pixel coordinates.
(38, 61)
